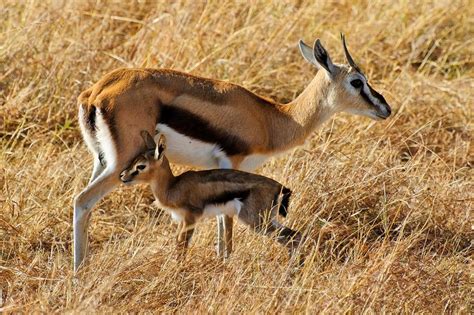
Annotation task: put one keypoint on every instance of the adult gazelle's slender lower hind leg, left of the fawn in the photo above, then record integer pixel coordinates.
(83, 204)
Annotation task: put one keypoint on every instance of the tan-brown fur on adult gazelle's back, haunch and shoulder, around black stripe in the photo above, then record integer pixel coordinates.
(221, 103)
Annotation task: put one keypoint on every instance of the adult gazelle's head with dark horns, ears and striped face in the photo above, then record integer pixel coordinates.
(348, 88)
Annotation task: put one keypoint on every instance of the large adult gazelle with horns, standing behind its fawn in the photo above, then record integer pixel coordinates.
(207, 123)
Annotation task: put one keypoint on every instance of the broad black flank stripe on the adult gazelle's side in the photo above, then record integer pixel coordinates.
(193, 126)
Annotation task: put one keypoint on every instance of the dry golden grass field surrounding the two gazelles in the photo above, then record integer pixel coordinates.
(386, 206)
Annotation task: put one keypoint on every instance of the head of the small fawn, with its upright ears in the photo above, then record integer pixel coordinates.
(144, 166)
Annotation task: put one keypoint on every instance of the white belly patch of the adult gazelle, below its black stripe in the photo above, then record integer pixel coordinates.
(182, 149)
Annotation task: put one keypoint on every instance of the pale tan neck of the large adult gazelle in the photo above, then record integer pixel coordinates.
(306, 113)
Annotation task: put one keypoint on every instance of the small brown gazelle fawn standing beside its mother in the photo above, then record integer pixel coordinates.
(256, 200)
